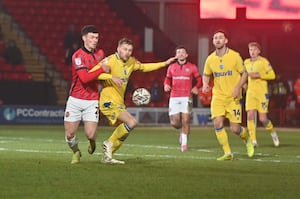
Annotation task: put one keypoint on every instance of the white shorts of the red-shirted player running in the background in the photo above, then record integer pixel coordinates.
(180, 105)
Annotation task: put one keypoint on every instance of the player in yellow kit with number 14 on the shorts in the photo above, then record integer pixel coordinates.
(226, 67)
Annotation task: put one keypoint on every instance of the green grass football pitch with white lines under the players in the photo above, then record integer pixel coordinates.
(35, 163)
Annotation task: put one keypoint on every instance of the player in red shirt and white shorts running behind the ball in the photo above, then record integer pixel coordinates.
(179, 81)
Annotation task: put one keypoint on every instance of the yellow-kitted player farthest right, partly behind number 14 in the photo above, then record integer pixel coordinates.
(257, 96)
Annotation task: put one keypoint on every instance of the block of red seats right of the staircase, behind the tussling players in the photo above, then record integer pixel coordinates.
(45, 22)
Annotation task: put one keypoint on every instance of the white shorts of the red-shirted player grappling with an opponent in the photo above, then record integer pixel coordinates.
(78, 109)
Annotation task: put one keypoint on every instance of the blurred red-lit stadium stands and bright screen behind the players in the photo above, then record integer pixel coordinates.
(38, 37)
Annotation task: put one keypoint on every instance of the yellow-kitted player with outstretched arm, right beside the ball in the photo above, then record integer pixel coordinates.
(112, 105)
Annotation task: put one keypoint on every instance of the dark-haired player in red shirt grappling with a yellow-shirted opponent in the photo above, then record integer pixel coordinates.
(83, 98)
